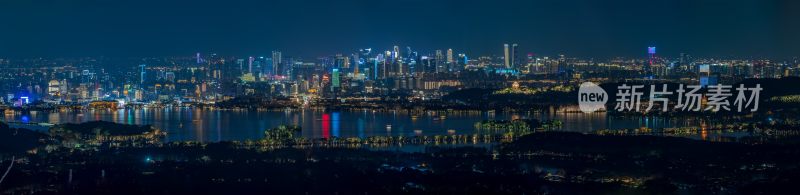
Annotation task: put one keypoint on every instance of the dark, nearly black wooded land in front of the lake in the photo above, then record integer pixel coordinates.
(539, 163)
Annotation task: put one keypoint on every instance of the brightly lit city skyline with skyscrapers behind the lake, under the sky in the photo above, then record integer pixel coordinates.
(366, 76)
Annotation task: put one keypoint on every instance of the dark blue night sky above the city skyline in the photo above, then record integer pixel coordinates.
(308, 28)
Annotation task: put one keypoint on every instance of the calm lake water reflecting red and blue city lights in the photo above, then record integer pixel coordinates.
(184, 124)
